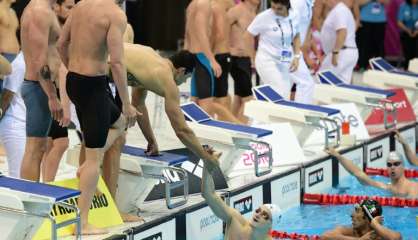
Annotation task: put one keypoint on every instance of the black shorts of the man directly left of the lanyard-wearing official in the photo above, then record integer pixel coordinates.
(241, 73)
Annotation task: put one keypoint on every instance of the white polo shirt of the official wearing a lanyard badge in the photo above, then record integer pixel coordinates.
(275, 32)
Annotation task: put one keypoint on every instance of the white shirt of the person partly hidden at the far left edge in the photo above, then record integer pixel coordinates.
(13, 82)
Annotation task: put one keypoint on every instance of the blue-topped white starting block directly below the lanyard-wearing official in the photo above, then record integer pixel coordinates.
(269, 106)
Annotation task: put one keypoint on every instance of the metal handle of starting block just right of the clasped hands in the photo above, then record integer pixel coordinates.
(244, 143)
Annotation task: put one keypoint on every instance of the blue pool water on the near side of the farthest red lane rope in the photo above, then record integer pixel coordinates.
(316, 219)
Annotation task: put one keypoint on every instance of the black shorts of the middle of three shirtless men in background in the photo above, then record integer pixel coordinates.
(221, 83)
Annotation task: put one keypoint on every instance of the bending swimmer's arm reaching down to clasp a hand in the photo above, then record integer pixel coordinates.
(179, 125)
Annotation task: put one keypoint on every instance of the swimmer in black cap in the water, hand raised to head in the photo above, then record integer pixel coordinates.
(367, 222)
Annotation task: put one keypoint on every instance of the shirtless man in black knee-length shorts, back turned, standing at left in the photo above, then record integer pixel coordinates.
(95, 36)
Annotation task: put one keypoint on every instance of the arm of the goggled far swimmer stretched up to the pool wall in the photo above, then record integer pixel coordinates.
(354, 170)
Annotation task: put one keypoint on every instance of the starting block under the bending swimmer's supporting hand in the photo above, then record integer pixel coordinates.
(140, 173)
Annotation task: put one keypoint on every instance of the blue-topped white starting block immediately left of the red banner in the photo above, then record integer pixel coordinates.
(333, 90)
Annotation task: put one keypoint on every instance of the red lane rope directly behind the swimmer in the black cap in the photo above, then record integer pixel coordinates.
(339, 199)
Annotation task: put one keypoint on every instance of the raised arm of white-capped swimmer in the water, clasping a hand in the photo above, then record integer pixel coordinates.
(218, 206)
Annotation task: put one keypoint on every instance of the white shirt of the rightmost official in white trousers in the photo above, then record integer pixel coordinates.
(338, 18)
